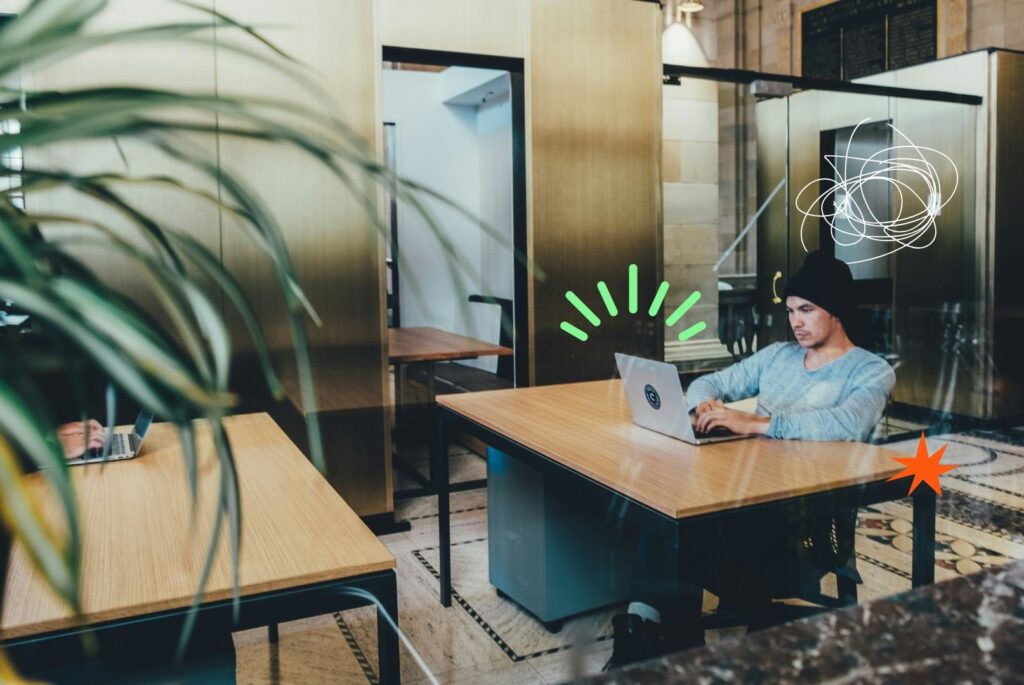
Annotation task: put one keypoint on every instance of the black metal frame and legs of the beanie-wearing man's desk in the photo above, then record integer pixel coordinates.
(681, 534)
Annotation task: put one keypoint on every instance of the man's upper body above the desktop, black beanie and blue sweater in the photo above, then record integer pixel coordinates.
(822, 388)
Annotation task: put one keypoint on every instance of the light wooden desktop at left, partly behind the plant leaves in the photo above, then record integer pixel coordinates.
(141, 554)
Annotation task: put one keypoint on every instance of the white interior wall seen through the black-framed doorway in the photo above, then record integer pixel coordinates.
(465, 153)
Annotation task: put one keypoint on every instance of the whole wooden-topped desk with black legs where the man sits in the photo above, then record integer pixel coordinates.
(582, 438)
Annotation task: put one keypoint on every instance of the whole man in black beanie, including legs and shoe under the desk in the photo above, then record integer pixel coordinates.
(822, 388)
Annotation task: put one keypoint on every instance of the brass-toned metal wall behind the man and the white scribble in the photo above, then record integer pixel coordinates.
(937, 305)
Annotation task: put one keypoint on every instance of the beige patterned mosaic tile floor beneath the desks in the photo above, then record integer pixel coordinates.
(485, 639)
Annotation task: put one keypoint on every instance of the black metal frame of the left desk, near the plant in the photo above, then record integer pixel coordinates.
(267, 609)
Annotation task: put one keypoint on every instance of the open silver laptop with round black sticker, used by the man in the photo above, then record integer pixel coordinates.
(658, 402)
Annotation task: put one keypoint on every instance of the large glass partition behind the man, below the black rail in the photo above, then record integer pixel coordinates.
(886, 183)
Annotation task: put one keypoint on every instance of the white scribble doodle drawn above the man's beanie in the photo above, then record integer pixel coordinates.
(917, 197)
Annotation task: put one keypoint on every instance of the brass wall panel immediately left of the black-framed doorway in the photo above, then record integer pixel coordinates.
(337, 254)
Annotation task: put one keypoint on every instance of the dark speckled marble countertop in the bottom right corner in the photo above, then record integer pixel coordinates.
(968, 630)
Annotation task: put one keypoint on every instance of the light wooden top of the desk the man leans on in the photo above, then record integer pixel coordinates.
(587, 427)
